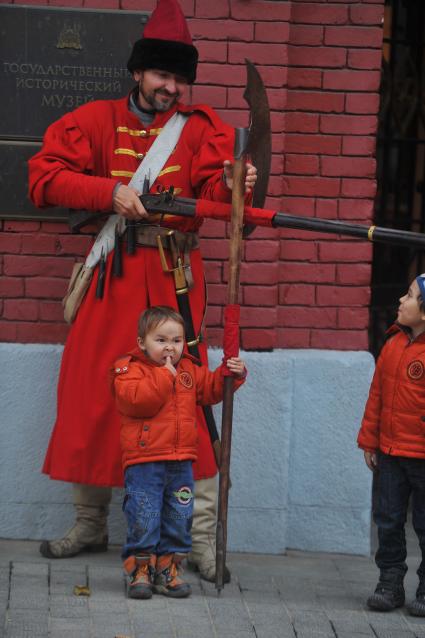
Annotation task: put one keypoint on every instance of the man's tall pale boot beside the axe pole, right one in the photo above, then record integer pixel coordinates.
(202, 556)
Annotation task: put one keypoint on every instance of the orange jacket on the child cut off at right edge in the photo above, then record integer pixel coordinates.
(394, 418)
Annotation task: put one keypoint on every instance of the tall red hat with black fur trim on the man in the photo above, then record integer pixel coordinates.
(166, 43)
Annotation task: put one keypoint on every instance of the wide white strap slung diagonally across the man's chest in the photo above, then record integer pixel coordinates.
(151, 166)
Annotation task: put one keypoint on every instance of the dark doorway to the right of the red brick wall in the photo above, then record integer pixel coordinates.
(400, 200)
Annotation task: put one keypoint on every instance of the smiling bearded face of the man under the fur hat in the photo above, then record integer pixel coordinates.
(159, 90)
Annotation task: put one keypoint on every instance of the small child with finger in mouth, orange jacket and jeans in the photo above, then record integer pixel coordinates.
(156, 389)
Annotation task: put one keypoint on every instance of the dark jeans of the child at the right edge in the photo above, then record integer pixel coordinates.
(398, 478)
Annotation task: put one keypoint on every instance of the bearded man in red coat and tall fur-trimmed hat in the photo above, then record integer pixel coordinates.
(87, 159)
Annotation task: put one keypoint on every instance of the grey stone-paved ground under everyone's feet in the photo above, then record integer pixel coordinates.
(299, 595)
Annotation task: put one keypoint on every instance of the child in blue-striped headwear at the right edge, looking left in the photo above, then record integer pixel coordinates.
(392, 436)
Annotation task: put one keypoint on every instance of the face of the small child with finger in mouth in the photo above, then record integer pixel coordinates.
(166, 340)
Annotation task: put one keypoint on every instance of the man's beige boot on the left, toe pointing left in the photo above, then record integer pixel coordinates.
(89, 532)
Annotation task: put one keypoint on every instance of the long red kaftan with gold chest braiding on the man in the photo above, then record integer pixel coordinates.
(84, 155)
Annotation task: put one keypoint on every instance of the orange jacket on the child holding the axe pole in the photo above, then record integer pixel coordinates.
(158, 410)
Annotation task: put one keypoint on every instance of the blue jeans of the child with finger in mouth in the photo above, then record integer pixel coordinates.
(158, 506)
